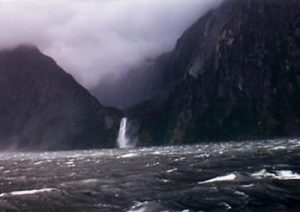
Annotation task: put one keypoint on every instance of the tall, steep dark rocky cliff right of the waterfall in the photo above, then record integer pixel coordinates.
(240, 67)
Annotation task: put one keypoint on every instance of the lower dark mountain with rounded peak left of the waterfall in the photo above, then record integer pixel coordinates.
(43, 107)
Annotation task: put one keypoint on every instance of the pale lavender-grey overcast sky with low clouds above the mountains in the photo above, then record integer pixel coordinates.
(90, 39)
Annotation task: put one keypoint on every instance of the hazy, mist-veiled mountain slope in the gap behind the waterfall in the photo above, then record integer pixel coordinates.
(140, 83)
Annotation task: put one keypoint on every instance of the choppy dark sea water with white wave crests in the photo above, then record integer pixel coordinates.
(245, 176)
